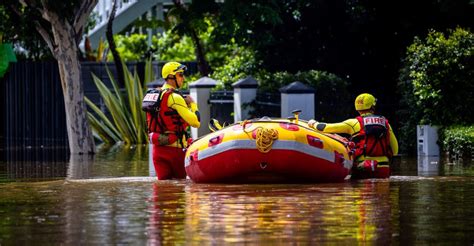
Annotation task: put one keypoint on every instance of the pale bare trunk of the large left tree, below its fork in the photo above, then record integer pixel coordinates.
(79, 133)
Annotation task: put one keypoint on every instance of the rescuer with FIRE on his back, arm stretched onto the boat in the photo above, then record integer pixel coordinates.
(375, 142)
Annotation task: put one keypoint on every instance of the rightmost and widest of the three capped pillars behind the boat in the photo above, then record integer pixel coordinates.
(297, 96)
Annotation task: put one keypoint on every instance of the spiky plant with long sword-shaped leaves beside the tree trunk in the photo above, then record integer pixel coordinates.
(128, 121)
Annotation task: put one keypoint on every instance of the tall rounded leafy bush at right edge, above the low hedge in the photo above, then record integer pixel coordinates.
(442, 74)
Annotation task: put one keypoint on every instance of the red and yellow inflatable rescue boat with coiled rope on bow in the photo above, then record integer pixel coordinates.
(268, 150)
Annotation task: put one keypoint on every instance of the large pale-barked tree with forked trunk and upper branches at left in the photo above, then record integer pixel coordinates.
(61, 23)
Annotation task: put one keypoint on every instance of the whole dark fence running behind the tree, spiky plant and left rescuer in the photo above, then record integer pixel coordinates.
(32, 109)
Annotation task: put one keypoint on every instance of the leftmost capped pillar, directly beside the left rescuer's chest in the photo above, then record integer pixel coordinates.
(200, 91)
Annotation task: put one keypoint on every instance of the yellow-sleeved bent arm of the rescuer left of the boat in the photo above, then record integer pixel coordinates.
(190, 115)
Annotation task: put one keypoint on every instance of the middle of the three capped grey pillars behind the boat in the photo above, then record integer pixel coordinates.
(245, 91)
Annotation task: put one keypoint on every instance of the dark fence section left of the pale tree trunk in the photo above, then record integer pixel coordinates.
(33, 108)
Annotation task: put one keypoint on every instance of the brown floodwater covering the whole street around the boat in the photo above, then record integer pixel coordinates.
(112, 199)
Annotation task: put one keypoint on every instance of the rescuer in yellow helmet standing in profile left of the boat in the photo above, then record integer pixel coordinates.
(167, 125)
